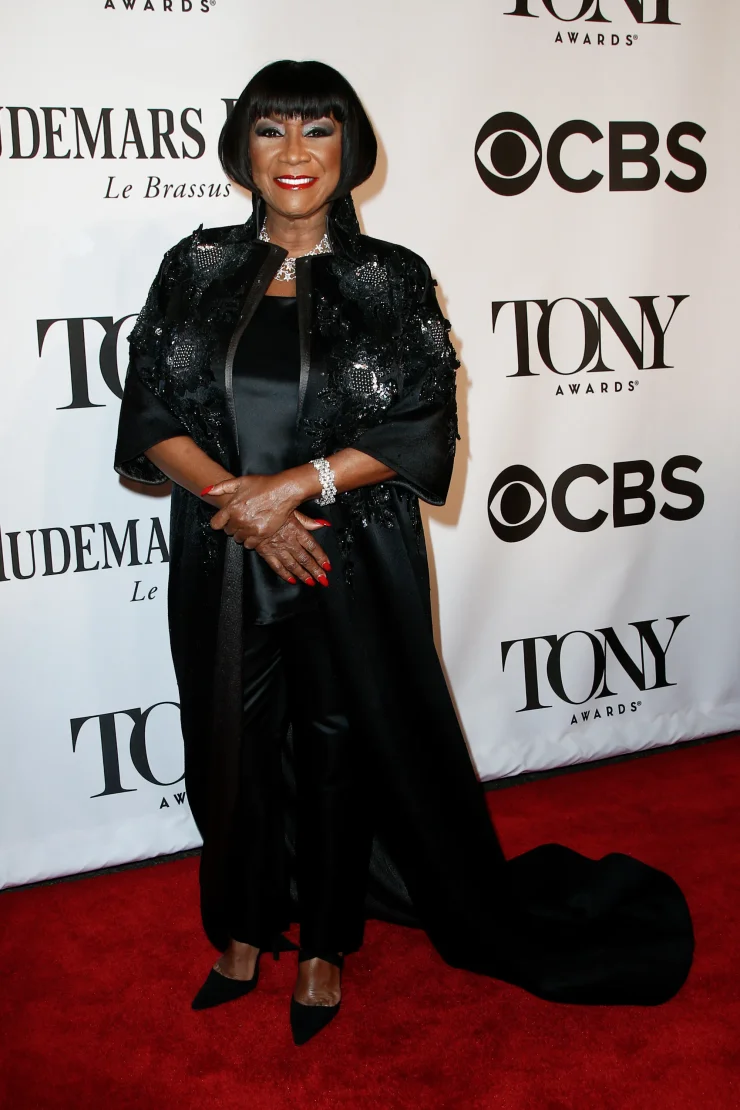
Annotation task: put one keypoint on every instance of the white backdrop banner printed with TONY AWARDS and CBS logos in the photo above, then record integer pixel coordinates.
(570, 169)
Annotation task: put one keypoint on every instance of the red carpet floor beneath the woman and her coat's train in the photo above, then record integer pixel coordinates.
(98, 976)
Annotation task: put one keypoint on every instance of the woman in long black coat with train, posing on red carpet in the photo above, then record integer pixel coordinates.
(296, 381)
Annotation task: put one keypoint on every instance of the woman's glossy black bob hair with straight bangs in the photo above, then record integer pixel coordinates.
(308, 92)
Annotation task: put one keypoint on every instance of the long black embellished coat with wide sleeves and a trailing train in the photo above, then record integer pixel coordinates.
(378, 374)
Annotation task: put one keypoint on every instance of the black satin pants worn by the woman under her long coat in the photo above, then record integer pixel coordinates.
(290, 678)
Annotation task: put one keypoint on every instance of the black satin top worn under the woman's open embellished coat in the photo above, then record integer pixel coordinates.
(266, 385)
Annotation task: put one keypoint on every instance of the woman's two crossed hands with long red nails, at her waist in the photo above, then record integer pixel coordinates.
(261, 513)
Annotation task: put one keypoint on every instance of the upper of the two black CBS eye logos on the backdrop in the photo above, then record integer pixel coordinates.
(510, 155)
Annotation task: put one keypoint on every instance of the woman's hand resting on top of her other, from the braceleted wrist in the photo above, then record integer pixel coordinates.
(257, 508)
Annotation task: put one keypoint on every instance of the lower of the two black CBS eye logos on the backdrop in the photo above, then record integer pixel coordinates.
(518, 501)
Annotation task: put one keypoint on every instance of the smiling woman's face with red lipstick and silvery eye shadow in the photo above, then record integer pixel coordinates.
(296, 164)
